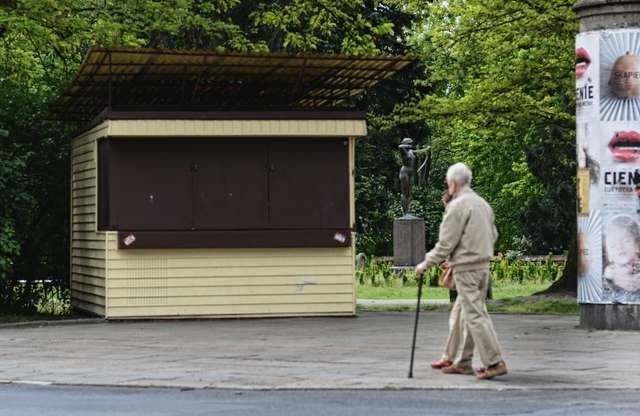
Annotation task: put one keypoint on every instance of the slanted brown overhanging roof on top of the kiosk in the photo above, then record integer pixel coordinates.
(160, 80)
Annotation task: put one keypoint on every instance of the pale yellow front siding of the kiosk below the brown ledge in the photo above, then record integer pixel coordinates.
(229, 282)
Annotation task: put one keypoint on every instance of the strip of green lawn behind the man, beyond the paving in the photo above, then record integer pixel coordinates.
(500, 291)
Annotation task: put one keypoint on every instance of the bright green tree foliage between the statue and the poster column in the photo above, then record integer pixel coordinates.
(500, 80)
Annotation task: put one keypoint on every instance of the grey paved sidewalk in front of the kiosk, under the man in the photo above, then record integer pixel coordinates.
(367, 352)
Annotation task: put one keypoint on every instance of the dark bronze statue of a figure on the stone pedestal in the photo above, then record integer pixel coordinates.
(408, 170)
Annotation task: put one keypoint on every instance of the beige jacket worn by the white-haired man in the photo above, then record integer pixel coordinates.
(467, 233)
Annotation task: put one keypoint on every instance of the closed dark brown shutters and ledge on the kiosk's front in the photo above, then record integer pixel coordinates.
(225, 192)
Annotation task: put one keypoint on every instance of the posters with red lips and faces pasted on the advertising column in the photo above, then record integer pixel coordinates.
(608, 156)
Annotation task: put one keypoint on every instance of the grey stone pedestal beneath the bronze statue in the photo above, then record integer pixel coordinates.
(408, 240)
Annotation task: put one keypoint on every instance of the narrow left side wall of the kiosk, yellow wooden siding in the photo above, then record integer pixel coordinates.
(87, 245)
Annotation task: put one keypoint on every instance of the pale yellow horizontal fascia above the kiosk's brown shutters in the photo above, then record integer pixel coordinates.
(227, 128)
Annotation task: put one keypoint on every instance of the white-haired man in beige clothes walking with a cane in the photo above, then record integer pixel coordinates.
(467, 236)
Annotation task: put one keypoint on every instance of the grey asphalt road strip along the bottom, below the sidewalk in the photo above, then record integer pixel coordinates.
(90, 401)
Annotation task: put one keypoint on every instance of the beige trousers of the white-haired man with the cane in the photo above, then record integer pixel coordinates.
(469, 322)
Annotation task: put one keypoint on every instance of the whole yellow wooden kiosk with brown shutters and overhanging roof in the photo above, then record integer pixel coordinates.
(215, 184)
